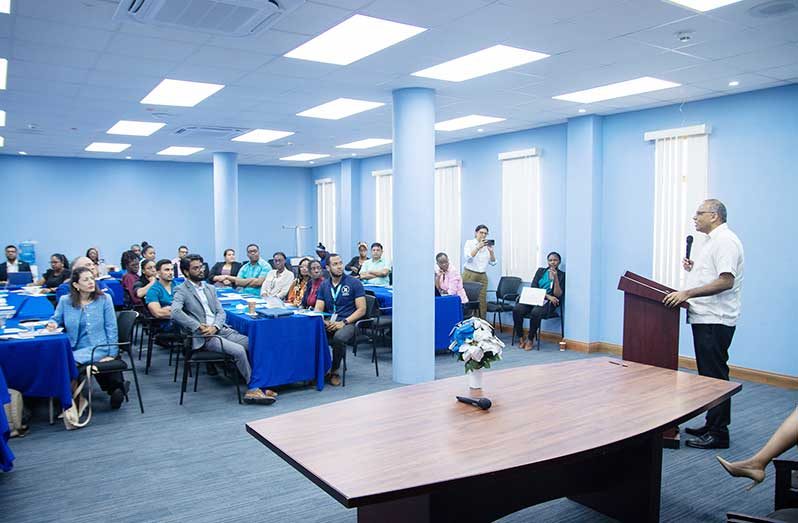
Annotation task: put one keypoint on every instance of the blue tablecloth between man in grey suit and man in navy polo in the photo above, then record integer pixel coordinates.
(284, 350)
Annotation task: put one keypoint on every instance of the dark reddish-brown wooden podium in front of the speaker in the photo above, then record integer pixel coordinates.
(650, 329)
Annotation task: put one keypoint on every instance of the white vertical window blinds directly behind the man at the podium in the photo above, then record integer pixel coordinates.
(680, 185)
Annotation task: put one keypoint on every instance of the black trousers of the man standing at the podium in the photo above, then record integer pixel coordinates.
(711, 342)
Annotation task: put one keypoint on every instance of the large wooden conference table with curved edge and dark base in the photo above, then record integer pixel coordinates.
(589, 430)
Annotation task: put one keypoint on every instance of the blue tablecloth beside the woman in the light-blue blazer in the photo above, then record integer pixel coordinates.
(41, 366)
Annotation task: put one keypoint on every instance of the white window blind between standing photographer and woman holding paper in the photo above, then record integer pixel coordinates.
(520, 250)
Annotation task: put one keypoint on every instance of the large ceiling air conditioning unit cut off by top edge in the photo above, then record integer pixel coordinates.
(222, 17)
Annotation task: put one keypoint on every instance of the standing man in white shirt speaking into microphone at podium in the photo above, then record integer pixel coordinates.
(712, 292)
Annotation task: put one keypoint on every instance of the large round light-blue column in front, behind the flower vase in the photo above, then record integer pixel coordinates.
(413, 235)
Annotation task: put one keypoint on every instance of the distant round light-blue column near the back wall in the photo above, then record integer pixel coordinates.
(225, 202)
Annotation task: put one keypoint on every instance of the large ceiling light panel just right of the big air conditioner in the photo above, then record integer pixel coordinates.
(353, 39)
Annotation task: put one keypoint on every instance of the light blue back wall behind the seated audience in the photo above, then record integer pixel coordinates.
(69, 204)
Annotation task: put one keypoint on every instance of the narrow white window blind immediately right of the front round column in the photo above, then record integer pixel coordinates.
(447, 211)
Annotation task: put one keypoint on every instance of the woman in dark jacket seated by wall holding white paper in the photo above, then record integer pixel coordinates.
(550, 278)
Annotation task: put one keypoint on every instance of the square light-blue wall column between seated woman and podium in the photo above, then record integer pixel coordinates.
(584, 180)
